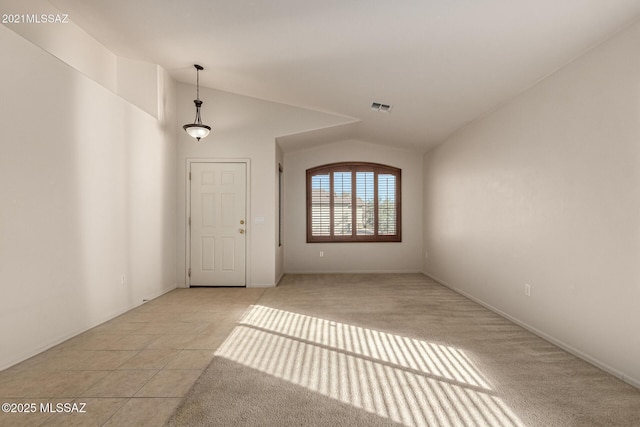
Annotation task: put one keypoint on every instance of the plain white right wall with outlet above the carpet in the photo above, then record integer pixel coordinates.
(546, 191)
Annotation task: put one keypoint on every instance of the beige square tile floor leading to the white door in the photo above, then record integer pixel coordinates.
(132, 370)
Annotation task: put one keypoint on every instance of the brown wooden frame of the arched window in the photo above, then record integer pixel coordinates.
(354, 167)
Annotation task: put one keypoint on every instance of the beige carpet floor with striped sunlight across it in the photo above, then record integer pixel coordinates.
(396, 349)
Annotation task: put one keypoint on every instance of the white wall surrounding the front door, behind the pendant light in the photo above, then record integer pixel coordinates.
(243, 128)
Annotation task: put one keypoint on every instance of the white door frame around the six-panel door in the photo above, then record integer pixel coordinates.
(247, 249)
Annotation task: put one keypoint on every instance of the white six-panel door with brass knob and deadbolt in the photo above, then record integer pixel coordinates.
(218, 224)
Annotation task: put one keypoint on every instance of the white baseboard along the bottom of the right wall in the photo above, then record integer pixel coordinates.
(566, 347)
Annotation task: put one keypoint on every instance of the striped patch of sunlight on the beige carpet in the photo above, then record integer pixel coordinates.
(408, 381)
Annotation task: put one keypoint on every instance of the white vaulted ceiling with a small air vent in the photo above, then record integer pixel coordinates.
(439, 63)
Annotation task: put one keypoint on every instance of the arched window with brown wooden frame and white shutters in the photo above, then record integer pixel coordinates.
(353, 202)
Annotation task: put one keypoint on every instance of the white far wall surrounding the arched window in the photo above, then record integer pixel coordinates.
(303, 257)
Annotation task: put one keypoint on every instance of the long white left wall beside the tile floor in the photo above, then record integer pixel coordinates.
(87, 194)
